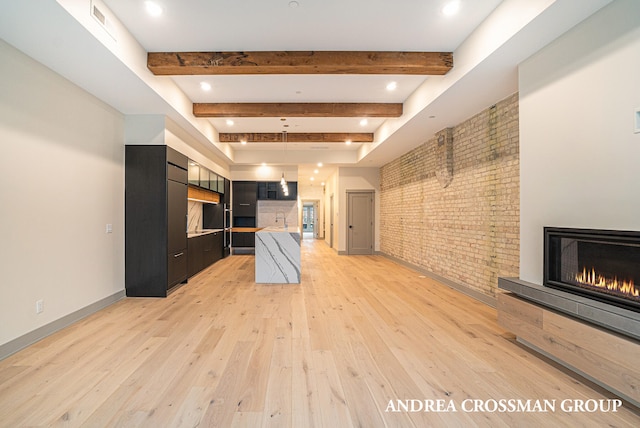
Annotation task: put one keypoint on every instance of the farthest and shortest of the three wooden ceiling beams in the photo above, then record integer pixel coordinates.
(277, 137)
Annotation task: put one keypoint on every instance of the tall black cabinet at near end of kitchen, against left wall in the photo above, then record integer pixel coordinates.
(155, 220)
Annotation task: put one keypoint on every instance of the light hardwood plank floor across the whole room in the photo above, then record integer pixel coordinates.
(223, 351)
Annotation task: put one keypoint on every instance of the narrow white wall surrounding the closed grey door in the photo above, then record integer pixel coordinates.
(357, 179)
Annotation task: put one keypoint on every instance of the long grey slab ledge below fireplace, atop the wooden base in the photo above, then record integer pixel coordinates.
(614, 318)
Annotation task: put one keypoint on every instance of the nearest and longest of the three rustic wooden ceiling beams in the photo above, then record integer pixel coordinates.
(299, 62)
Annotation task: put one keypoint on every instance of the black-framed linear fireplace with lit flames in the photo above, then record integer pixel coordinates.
(600, 264)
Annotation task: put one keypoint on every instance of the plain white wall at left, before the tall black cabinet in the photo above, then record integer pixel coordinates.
(62, 181)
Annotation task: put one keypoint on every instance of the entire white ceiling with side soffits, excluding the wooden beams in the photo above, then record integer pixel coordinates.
(489, 39)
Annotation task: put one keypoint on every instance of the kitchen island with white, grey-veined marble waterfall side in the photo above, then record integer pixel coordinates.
(278, 255)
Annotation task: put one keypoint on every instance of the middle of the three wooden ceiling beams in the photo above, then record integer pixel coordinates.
(297, 110)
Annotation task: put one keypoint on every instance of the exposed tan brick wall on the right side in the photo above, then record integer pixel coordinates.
(469, 231)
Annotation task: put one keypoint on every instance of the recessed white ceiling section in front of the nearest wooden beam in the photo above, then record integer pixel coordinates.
(263, 25)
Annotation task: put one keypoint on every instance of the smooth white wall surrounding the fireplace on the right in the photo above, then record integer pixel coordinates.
(579, 156)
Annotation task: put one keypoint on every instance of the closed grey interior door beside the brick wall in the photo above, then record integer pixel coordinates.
(360, 222)
